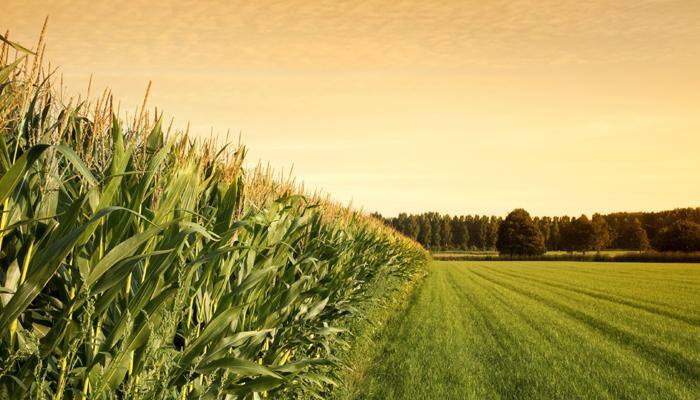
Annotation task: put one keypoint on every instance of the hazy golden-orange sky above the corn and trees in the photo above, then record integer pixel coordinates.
(460, 107)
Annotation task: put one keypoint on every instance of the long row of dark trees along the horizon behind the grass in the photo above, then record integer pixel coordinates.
(672, 230)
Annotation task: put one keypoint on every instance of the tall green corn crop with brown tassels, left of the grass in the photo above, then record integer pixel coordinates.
(137, 262)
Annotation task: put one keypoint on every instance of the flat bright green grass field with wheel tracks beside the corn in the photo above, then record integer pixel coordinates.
(533, 330)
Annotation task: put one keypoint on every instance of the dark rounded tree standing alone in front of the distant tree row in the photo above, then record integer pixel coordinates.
(518, 235)
